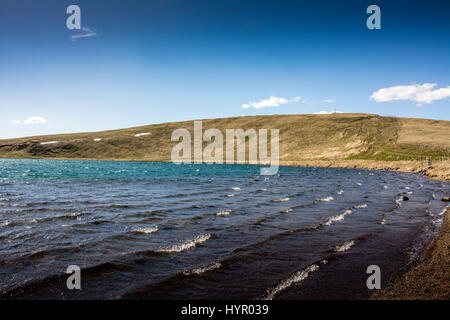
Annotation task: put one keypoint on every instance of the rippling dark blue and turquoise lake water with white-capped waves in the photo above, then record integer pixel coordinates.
(165, 231)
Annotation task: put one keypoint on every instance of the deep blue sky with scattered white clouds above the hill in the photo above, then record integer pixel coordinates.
(142, 62)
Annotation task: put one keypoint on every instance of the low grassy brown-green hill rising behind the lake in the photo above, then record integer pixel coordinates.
(333, 137)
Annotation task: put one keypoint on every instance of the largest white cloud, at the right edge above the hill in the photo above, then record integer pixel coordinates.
(415, 92)
